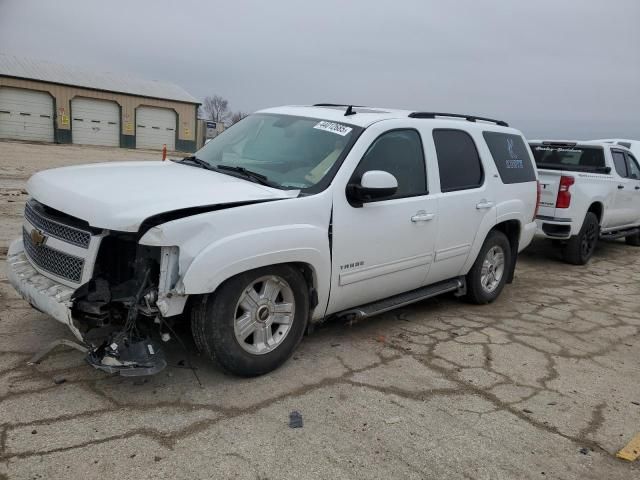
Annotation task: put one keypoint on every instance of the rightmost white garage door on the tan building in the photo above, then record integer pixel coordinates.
(155, 127)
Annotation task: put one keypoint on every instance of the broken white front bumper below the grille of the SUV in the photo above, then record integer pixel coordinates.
(41, 292)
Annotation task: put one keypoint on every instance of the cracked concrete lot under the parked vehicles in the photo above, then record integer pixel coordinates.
(544, 383)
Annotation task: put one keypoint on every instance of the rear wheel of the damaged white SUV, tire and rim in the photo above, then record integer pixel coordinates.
(487, 277)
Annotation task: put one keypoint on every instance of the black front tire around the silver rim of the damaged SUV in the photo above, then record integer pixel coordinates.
(213, 322)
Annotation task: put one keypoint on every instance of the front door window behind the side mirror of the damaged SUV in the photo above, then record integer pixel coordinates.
(400, 153)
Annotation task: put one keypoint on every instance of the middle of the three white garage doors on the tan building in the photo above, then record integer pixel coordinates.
(95, 122)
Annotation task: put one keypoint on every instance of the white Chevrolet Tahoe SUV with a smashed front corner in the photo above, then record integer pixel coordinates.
(291, 216)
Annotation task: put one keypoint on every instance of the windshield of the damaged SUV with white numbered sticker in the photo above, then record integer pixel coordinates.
(291, 152)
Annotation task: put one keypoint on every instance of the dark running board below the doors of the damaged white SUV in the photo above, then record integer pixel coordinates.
(369, 310)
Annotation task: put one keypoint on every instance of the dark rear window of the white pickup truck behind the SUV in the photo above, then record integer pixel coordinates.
(568, 157)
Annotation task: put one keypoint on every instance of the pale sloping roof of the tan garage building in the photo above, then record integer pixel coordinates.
(30, 69)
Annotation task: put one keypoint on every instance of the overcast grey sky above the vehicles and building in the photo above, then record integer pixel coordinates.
(552, 68)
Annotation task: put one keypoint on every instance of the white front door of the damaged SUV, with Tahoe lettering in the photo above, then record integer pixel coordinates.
(384, 247)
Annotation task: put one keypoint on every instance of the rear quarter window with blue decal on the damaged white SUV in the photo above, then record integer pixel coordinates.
(511, 157)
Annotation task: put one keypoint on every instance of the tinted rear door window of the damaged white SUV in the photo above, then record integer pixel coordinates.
(458, 160)
